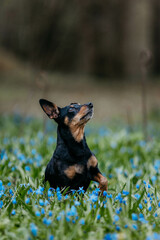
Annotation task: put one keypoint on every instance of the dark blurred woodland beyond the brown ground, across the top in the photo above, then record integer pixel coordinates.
(99, 37)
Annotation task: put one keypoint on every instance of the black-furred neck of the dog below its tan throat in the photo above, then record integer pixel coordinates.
(76, 149)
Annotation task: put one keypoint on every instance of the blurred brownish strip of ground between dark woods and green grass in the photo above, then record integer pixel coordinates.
(22, 86)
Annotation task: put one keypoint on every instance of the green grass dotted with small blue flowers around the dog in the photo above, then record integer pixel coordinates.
(129, 210)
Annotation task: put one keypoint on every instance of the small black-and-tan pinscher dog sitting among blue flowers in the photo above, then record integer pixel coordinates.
(72, 165)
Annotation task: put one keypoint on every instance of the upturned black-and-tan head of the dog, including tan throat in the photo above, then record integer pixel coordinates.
(74, 116)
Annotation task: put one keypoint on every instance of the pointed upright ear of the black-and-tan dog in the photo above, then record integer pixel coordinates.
(49, 108)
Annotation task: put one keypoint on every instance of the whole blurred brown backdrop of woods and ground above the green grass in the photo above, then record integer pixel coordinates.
(81, 51)
